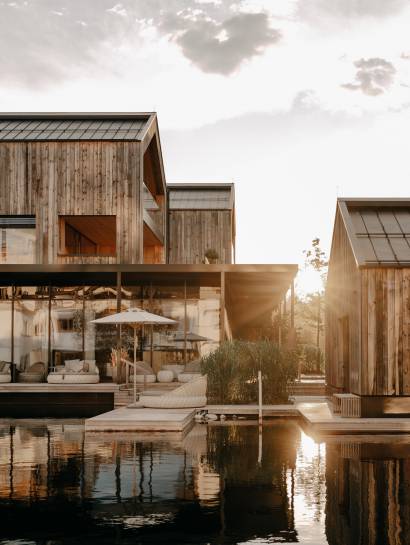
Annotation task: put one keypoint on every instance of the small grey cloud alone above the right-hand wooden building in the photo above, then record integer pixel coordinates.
(373, 77)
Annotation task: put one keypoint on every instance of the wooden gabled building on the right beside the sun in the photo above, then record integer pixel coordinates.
(367, 305)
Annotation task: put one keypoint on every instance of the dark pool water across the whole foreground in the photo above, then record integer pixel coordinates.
(221, 484)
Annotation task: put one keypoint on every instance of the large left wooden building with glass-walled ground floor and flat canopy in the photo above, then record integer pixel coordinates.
(86, 193)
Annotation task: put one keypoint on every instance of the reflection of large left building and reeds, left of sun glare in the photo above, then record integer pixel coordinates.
(120, 488)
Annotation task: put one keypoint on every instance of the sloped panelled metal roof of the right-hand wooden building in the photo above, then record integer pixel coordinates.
(378, 230)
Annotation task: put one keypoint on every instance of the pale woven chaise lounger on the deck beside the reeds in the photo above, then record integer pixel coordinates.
(190, 395)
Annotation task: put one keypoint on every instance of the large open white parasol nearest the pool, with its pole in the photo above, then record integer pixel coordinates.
(134, 317)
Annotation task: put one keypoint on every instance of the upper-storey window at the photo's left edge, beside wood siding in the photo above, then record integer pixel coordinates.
(17, 239)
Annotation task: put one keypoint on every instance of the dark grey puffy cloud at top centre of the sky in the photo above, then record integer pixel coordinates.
(222, 47)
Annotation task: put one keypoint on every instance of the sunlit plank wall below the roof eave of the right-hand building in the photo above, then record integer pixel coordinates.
(385, 331)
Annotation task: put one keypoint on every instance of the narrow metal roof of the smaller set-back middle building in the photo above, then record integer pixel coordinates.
(201, 196)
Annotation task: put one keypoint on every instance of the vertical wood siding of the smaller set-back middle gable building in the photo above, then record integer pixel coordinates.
(193, 232)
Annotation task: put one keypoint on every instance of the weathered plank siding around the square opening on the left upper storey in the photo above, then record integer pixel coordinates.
(52, 178)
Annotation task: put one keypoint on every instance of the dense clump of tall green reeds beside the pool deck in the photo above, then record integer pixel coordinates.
(233, 368)
